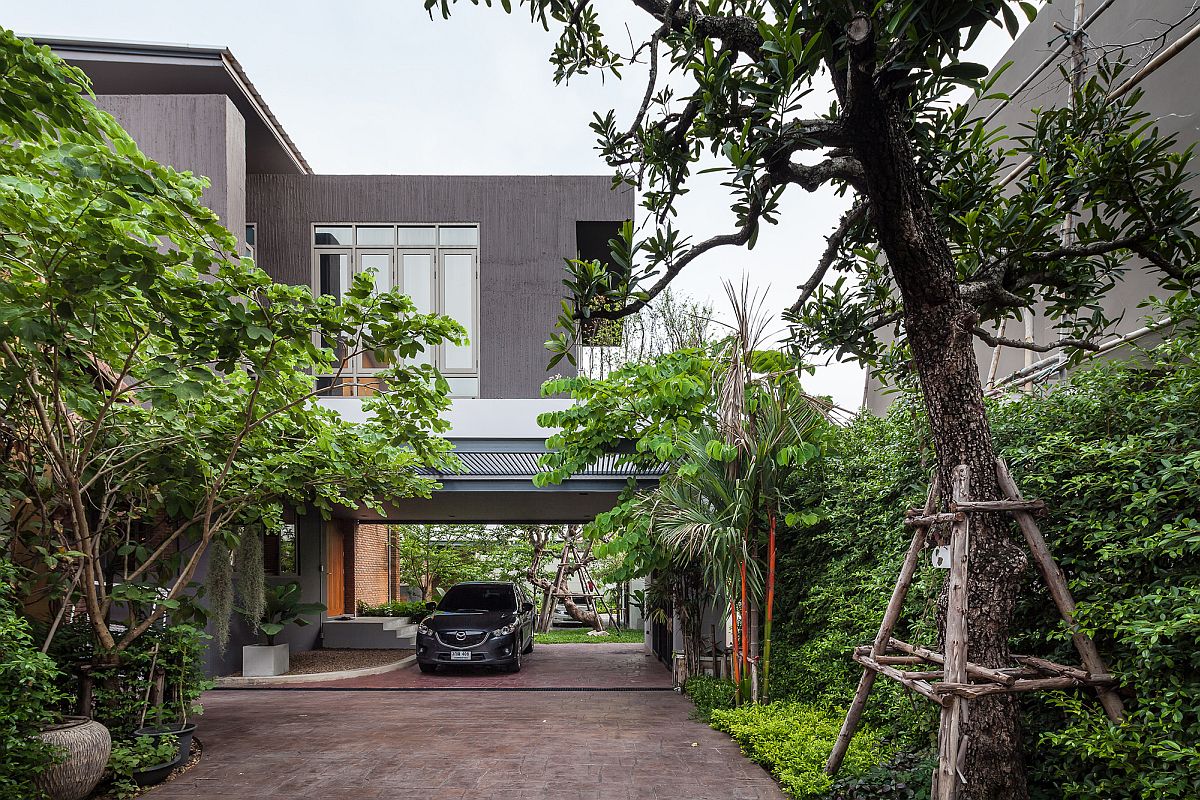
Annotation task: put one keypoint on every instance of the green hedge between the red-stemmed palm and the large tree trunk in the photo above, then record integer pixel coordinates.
(836, 575)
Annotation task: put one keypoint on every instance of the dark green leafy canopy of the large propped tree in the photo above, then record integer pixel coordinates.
(749, 89)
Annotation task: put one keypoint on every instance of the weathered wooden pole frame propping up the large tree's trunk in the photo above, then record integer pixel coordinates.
(953, 681)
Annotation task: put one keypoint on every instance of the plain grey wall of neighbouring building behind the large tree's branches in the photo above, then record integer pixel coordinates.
(1171, 98)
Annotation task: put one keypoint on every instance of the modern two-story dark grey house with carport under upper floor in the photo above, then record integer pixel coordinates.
(485, 250)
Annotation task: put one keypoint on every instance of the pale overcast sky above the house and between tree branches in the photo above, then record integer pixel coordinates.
(376, 87)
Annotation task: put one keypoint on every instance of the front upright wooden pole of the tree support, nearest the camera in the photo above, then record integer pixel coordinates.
(946, 783)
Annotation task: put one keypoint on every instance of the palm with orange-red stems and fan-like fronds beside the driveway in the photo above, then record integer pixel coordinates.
(727, 479)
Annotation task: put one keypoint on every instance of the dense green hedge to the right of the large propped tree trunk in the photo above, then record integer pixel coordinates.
(1117, 454)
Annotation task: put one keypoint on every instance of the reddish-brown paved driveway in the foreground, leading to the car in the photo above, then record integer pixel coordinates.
(463, 745)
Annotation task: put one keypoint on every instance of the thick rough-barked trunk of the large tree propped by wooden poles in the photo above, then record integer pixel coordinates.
(939, 323)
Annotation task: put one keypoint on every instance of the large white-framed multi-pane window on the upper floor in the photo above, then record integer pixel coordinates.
(437, 266)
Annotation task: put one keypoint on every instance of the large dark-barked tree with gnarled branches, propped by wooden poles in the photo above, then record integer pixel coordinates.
(937, 248)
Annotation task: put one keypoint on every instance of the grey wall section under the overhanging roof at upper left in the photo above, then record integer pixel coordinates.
(201, 134)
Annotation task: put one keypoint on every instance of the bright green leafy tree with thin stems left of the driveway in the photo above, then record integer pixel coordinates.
(155, 392)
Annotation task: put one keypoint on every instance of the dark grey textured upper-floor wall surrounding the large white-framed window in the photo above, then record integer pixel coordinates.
(527, 228)
